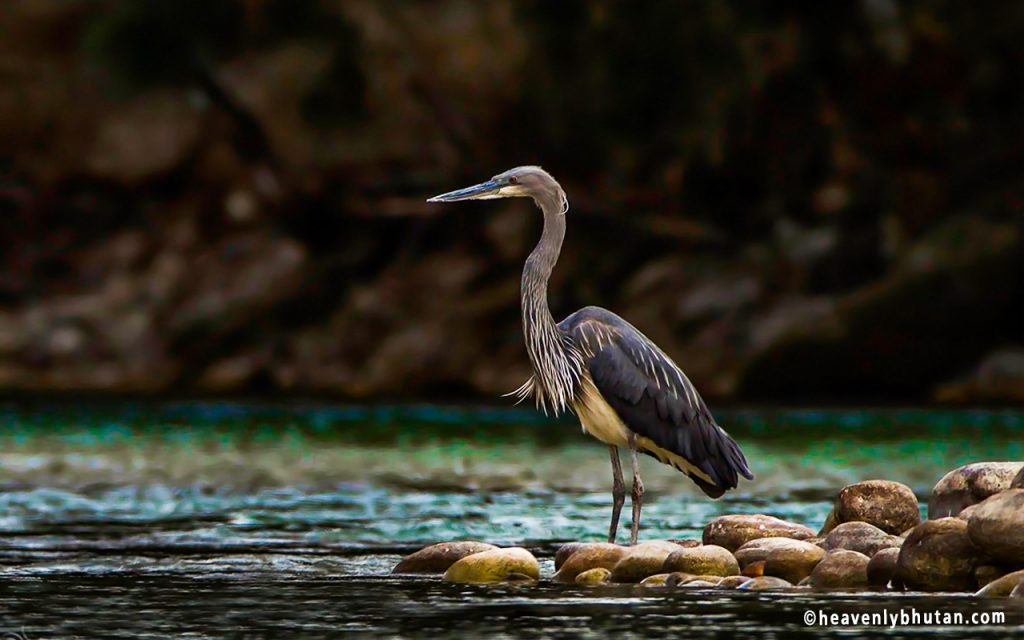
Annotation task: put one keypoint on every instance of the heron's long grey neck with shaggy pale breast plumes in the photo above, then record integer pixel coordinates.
(558, 365)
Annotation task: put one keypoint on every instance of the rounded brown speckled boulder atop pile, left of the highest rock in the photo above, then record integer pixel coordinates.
(890, 506)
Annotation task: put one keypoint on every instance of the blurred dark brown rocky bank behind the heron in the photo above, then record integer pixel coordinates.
(800, 202)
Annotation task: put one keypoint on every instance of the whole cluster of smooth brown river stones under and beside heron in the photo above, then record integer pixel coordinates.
(873, 540)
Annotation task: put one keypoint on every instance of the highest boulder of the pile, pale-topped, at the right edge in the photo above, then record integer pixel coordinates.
(971, 485)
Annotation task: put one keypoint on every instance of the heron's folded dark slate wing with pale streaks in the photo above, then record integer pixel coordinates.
(655, 399)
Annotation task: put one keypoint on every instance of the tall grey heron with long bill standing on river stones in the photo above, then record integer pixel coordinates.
(625, 391)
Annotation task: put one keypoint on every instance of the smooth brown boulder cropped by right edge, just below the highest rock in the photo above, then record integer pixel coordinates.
(998, 527)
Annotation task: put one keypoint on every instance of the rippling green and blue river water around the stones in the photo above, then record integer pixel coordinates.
(211, 520)
